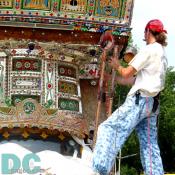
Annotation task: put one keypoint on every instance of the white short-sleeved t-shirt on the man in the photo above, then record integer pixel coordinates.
(151, 64)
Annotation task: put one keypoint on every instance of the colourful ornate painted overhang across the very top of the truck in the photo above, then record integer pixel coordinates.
(96, 15)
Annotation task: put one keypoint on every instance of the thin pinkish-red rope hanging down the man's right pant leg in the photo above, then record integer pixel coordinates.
(149, 143)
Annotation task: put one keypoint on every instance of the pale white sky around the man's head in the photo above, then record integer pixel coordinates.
(145, 10)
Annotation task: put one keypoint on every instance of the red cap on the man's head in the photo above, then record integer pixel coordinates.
(155, 25)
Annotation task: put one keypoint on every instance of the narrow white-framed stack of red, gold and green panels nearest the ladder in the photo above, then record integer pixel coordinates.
(68, 88)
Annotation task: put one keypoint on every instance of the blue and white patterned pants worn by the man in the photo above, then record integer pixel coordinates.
(113, 133)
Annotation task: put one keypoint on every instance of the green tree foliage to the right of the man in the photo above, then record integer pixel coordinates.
(167, 122)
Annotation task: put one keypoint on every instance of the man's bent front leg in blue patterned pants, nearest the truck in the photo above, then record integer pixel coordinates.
(112, 134)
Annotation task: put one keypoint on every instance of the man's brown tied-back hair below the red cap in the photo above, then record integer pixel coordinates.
(160, 37)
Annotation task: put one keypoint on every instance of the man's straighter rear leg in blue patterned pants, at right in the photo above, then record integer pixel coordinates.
(149, 149)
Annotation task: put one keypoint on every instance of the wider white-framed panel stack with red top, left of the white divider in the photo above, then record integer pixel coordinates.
(25, 76)
